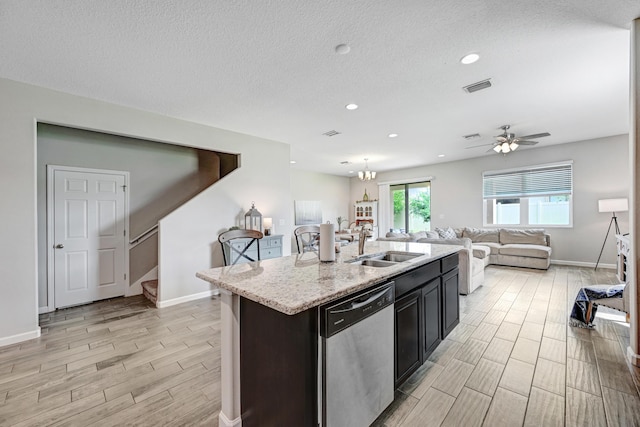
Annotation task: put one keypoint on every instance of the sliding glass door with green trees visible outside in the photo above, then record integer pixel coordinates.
(411, 206)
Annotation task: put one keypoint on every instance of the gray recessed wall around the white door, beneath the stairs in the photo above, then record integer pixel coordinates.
(162, 177)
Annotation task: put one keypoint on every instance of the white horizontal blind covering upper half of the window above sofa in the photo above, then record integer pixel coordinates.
(546, 180)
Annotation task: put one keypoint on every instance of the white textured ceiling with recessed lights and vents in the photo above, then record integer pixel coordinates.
(269, 69)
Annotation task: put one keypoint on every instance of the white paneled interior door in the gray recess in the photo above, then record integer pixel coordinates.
(89, 236)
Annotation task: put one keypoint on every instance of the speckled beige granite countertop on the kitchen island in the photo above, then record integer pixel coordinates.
(295, 283)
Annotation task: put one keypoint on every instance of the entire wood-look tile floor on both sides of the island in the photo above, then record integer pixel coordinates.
(512, 361)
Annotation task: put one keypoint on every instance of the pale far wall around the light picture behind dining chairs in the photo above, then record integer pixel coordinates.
(332, 191)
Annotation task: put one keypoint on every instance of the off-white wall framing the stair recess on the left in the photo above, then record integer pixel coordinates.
(22, 106)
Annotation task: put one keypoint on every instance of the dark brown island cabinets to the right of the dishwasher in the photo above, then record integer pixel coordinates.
(426, 311)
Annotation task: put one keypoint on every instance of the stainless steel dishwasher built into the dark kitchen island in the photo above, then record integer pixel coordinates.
(357, 358)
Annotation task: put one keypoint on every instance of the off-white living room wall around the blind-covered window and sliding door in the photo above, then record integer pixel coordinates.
(600, 170)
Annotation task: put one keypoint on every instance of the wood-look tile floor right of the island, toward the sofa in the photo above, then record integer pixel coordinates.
(514, 361)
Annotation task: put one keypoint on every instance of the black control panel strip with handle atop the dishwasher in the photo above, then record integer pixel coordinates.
(339, 316)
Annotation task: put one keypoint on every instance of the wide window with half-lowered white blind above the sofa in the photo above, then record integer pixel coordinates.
(537, 195)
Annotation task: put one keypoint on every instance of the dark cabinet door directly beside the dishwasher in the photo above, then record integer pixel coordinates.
(408, 315)
